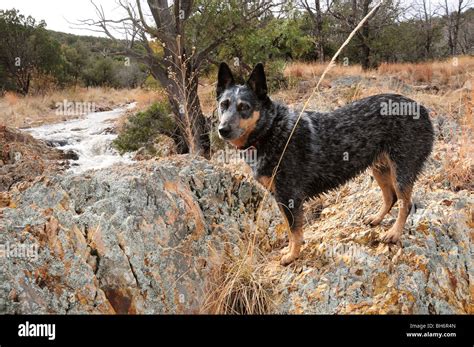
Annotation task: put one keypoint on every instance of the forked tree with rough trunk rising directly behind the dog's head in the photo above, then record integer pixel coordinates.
(188, 32)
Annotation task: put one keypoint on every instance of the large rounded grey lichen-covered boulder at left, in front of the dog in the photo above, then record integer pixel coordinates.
(129, 239)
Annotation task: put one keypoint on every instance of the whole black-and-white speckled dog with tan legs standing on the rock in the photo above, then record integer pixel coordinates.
(388, 132)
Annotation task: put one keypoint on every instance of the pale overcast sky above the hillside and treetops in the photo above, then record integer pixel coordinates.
(57, 13)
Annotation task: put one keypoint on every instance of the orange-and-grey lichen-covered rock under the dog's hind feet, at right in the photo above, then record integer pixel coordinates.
(344, 269)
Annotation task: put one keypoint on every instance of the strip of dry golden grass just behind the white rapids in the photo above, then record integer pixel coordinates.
(34, 110)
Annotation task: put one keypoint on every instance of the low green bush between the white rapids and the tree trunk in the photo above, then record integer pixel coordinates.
(142, 128)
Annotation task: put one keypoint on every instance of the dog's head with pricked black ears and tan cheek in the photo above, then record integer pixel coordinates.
(239, 106)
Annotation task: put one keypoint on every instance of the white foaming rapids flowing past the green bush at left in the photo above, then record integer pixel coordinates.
(90, 138)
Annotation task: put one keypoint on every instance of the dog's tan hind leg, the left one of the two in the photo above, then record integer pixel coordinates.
(383, 176)
